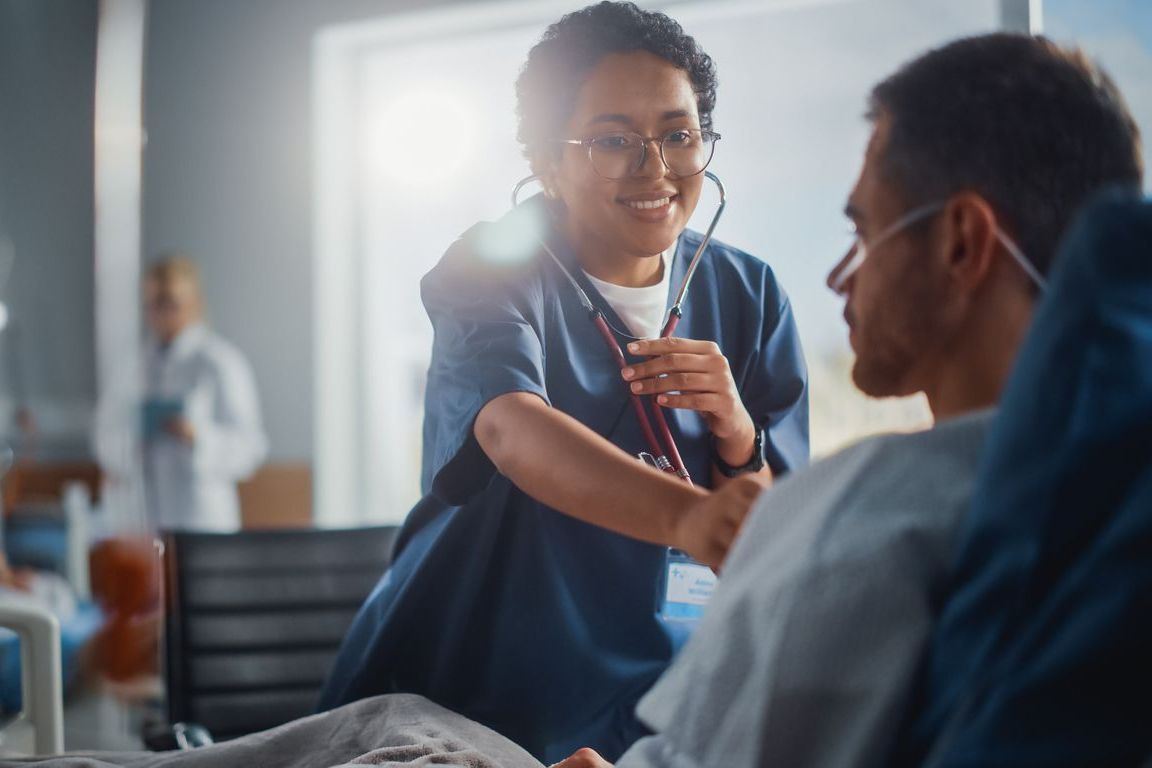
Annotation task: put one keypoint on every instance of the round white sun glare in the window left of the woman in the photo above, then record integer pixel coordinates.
(423, 136)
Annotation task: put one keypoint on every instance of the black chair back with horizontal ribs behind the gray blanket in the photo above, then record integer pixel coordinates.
(254, 620)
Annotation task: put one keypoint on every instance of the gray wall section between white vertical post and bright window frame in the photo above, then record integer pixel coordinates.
(229, 177)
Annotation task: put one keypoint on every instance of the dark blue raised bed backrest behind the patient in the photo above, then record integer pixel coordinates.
(1042, 653)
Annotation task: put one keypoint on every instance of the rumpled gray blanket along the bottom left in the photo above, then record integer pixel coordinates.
(388, 731)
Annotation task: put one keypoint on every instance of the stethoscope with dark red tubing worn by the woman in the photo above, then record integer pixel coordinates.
(664, 457)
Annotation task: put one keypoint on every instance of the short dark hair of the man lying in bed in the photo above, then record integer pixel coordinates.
(1033, 128)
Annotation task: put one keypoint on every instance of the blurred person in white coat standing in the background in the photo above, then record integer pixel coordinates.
(192, 430)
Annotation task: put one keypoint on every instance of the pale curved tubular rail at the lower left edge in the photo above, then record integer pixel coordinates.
(40, 657)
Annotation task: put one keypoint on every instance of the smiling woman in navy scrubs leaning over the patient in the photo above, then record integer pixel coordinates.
(533, 585)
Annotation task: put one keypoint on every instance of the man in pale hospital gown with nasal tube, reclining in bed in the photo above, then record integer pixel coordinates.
(981, 154)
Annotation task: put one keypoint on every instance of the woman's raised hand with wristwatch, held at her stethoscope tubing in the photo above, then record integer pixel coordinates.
(695, 375)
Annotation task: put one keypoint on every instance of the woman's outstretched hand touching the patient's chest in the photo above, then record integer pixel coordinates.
(708, 529)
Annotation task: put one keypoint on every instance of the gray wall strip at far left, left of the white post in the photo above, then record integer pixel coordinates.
(48, 65)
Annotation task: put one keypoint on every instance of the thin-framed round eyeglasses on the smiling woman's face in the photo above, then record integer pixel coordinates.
(685, 151)
